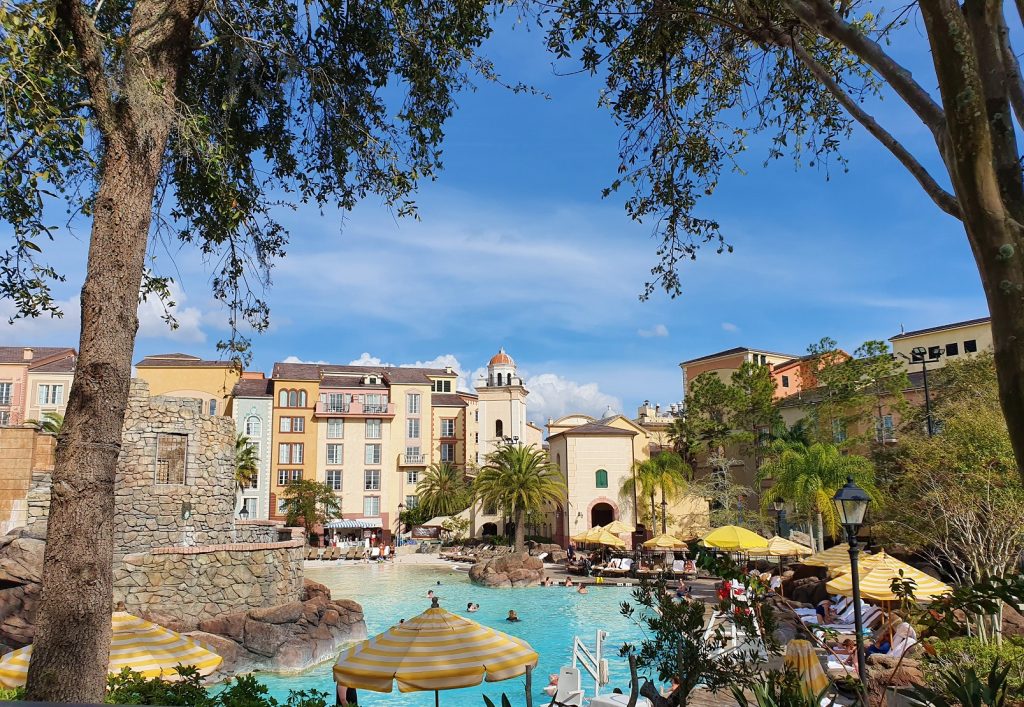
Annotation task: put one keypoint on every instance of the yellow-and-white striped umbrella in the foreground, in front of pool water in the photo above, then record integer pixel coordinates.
(437, 650)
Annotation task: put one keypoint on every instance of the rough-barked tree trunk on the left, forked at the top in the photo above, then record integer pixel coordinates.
(73, 622)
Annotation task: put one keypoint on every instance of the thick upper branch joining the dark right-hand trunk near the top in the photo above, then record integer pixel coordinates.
(824, 18)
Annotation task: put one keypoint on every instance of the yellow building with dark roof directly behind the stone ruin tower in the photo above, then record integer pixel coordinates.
(183, 376)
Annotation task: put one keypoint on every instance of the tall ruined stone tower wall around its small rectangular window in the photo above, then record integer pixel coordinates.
(154, 515)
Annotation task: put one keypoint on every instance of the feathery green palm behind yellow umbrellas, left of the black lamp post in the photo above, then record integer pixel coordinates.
(809, 477)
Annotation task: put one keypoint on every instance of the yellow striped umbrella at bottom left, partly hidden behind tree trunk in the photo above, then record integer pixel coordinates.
(136, 644)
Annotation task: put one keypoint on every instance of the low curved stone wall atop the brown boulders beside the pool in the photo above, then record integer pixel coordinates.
(193, 585)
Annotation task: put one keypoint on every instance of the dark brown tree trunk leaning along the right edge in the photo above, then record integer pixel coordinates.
(986, 173)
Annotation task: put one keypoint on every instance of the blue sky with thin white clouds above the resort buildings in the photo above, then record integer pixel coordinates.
(517, 249)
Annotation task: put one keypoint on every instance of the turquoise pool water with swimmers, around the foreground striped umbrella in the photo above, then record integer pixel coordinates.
(550, 617)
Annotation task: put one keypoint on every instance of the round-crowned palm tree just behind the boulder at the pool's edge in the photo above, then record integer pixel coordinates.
(518, 480)
